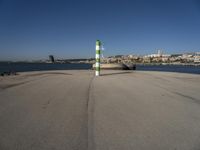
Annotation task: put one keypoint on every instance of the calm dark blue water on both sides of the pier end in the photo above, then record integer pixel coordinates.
(22, 67)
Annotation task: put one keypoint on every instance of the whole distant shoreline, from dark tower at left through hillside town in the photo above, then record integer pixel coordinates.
(156, 58)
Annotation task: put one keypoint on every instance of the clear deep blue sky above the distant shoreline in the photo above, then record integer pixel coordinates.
(33, 29)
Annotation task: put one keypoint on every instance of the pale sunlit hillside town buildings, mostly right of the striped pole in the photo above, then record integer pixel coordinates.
(157, 58)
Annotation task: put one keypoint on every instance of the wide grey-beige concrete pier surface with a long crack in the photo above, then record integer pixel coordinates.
(120, 110)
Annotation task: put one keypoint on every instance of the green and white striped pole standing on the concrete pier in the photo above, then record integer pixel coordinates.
(98, 52)
